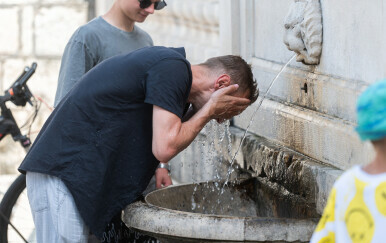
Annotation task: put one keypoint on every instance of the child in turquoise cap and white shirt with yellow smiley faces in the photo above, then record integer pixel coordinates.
(356, 208)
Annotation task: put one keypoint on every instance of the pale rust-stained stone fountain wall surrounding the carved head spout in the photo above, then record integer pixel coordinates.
(320, 122)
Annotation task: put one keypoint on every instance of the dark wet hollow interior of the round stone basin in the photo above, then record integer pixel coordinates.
(255, 197)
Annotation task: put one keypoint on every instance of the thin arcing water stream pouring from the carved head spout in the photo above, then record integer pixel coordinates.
(251, 120)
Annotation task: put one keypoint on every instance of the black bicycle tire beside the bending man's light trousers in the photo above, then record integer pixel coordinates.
(7, 204)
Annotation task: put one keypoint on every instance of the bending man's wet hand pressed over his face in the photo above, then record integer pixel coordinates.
(224, 105)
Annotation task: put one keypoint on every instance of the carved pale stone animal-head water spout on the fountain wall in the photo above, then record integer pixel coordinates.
(304, 31)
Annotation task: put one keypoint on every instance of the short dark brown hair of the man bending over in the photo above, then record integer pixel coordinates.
(239, 71)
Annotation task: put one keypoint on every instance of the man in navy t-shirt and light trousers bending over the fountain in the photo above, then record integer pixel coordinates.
(100, 147)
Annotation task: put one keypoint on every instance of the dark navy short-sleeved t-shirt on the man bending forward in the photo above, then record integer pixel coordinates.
(98, 140)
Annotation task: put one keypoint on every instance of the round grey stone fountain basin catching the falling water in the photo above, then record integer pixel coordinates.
(253, 210)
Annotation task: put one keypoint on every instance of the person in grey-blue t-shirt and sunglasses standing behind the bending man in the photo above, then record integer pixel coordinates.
(105, 36)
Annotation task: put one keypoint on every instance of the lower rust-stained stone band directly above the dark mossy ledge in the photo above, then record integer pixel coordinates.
(324, 138)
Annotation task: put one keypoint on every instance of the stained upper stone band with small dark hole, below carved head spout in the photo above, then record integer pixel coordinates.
(326, 94)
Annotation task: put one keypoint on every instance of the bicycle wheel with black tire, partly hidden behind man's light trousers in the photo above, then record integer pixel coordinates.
(15, 208)
